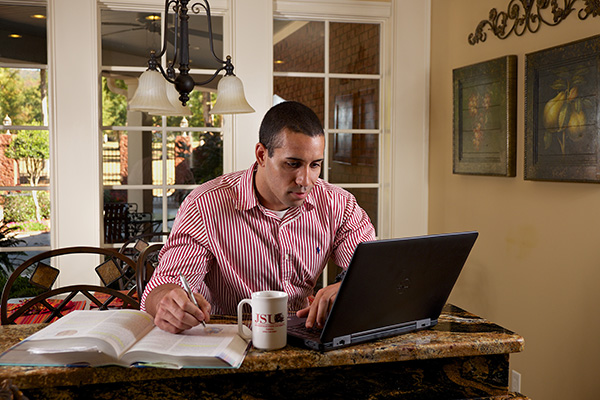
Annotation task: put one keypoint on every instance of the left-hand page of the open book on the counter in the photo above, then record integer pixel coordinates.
(118, 328)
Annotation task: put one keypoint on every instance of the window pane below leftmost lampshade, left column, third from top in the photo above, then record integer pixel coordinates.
(132, 157)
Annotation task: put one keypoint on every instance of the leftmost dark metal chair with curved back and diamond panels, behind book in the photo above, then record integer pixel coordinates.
(42, 275)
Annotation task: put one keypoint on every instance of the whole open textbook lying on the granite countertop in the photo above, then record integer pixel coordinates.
(127, 338)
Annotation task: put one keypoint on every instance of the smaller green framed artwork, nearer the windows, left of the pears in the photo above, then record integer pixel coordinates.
(484, 125)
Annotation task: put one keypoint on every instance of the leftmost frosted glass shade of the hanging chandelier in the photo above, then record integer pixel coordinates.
(150, 95)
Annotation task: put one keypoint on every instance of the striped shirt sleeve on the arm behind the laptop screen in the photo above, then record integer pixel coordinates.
(354, 227)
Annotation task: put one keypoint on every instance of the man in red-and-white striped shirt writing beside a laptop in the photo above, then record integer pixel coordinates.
(271, 227)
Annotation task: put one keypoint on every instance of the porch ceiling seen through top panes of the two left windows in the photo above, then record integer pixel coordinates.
(127, 37)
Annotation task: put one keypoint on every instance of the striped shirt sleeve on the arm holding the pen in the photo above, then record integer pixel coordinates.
(185, 252)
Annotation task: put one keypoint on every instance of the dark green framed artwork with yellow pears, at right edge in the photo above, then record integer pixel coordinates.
(561, 112)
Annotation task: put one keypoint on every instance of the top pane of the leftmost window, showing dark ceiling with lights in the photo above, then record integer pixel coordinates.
(23, 34)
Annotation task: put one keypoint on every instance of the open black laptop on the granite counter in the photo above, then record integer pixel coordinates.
(391, 286)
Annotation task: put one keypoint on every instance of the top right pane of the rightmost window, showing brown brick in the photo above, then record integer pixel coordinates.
(354, 48)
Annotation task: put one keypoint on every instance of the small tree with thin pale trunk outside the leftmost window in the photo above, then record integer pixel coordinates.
(33, 149)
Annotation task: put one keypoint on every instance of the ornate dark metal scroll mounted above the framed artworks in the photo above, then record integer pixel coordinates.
(530, 15)
